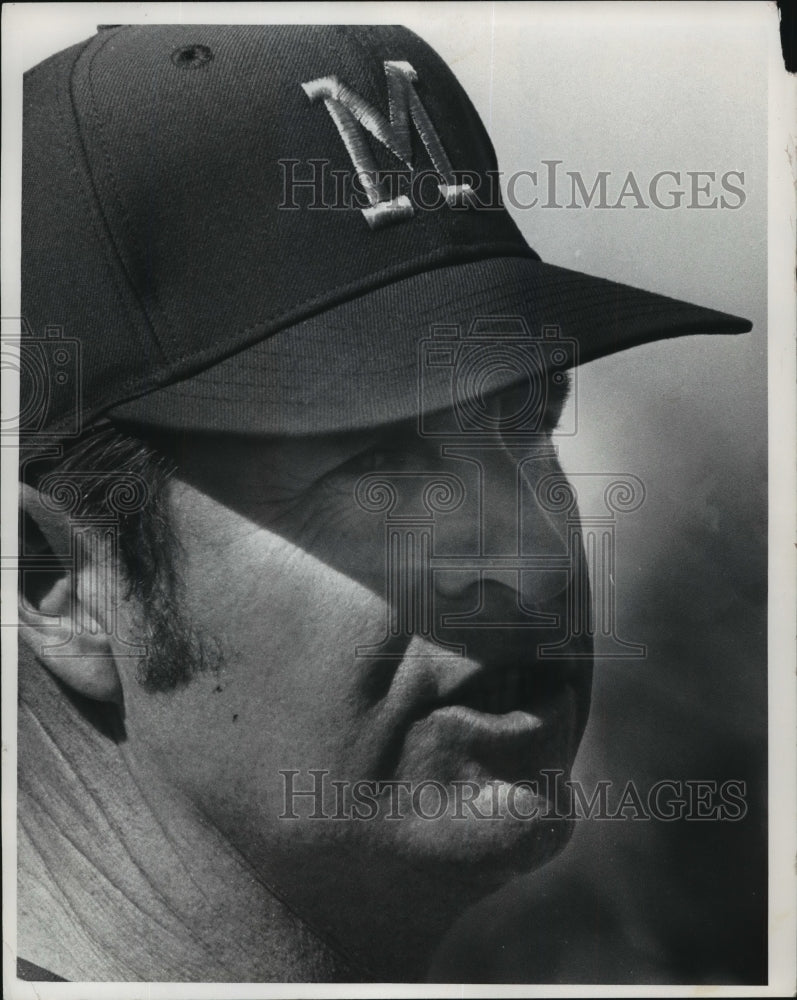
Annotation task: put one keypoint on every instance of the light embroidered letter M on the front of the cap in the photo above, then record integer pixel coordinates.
(353, 116)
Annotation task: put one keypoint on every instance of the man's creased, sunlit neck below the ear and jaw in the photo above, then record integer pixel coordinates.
(114, 887)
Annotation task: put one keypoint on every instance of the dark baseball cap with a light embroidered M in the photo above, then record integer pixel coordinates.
(262, 229)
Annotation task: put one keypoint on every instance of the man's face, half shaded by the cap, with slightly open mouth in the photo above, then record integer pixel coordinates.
(373, 627)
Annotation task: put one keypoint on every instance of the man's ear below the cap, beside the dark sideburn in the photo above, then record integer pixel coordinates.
(62, 601)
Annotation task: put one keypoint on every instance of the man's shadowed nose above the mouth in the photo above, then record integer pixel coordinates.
(501, 533)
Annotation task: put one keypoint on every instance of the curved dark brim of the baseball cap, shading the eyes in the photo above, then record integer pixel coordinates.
(362, 363)
